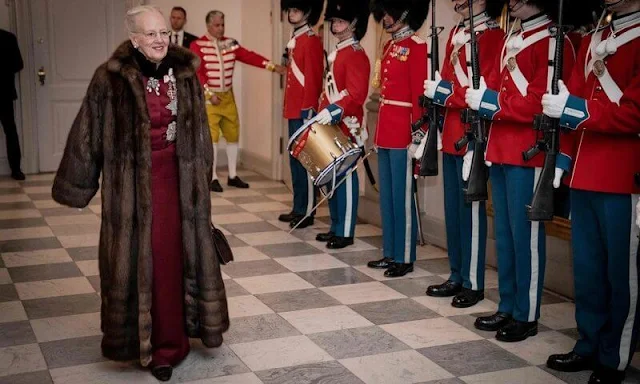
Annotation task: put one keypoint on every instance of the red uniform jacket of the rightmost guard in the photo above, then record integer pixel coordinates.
(605, 148)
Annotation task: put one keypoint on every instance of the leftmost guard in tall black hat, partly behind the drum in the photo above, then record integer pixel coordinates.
(305, 69)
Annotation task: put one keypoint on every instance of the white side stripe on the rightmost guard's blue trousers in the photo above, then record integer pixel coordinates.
(627, 331)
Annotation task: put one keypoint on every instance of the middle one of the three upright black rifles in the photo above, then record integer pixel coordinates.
(477, 132)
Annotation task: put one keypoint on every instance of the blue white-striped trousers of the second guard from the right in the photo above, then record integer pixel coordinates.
(520, 243)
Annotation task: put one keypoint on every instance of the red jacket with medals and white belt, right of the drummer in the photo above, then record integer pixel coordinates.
(403, 72)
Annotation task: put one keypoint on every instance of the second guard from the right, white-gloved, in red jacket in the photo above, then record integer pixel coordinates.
(521, 76)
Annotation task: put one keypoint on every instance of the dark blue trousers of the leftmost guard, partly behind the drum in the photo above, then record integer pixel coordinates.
(304, 197)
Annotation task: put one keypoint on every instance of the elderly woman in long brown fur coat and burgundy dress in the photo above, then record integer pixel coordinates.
(143, 126)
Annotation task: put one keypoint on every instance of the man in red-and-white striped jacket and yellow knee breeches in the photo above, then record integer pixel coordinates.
(218, 55)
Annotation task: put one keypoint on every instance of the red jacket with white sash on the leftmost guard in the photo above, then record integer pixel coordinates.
(304, 75)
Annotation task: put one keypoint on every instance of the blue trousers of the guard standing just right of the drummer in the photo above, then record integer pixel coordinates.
(397, 205)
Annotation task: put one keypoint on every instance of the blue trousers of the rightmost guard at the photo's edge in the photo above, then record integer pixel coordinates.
(605, 269)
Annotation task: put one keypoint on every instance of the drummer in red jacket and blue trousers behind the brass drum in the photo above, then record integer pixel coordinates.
(346, 86)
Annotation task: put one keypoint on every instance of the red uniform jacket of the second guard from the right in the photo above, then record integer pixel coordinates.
(512, 132)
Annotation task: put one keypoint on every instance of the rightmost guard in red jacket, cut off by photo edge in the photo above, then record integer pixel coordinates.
(601, 153)
